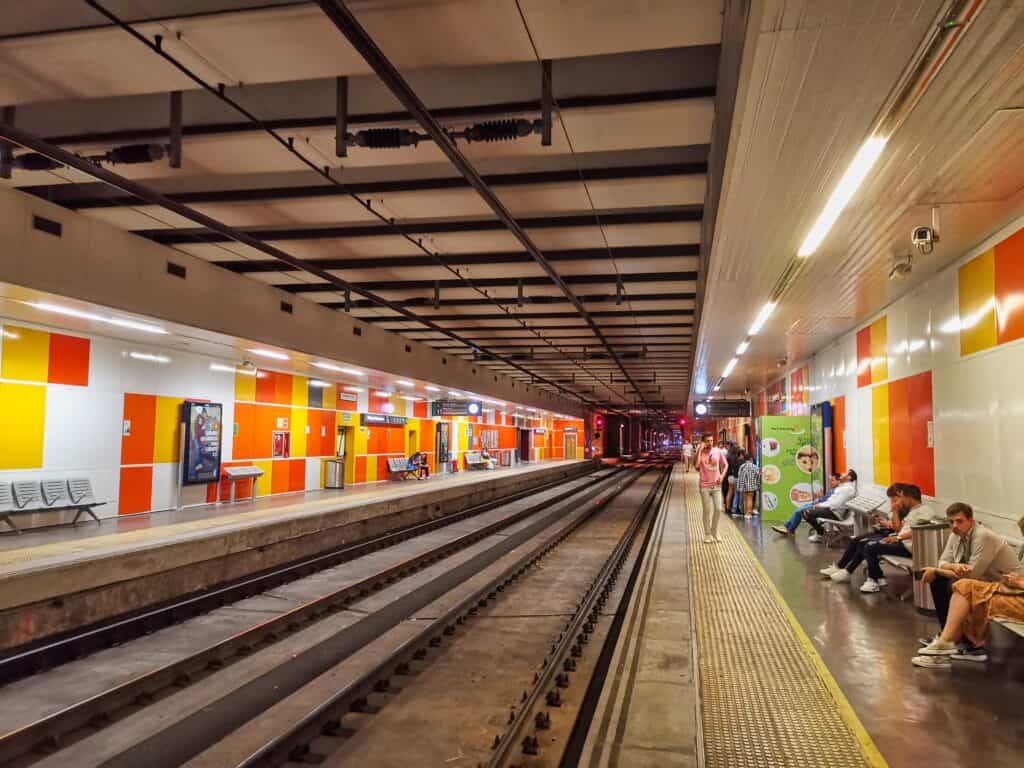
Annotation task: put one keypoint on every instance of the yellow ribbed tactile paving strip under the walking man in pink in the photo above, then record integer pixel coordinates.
(767, 699)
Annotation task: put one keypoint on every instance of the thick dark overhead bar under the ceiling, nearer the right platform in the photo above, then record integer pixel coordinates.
(360, 39)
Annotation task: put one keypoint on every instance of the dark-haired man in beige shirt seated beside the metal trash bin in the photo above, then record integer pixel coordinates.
(971, 551)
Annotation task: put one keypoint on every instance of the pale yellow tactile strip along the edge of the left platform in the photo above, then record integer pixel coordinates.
(137, 540)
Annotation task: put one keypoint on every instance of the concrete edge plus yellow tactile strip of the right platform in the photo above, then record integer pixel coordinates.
(713, 669)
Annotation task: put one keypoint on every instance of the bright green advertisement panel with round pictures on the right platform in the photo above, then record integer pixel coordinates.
(791, 465)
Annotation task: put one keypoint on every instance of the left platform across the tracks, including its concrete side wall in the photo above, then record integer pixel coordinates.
(58, 579)
